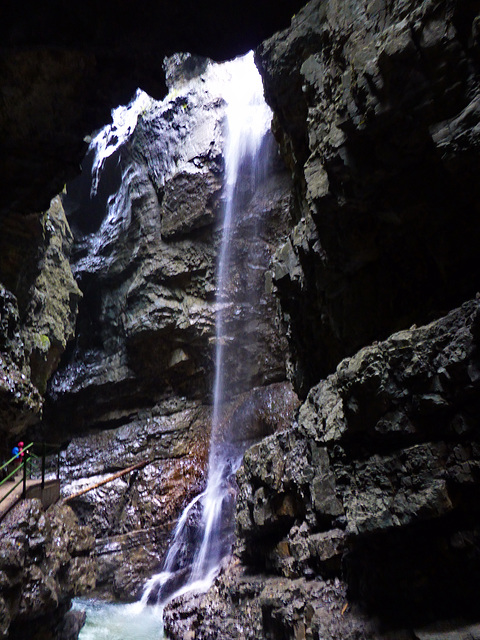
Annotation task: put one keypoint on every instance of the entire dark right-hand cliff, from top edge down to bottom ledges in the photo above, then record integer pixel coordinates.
(361, 520)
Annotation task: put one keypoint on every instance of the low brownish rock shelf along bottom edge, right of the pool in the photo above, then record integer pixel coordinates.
(246, 606)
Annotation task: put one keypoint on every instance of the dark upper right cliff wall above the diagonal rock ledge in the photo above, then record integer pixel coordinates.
(376, 109)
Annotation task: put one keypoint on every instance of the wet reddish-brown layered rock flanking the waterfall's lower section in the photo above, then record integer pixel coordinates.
(132, 523)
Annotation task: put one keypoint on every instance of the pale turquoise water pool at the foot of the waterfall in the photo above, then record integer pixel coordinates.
(114, 621)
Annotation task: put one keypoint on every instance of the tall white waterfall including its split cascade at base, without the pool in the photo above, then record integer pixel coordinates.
(248, 120)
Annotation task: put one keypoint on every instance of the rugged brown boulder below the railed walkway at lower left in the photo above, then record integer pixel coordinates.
(44, 562)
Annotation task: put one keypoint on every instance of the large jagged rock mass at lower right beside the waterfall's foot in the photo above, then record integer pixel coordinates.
(376, 484)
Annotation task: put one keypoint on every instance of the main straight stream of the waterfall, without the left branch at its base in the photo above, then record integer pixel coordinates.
(248, 119)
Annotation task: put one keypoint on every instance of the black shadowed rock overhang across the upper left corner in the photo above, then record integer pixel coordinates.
(62, 68)
